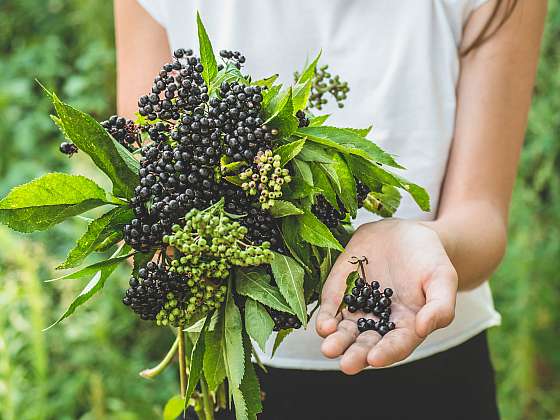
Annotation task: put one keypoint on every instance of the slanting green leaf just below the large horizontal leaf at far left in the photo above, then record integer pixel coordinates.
(98, 230)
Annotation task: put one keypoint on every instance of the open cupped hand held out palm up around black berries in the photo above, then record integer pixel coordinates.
(409, 258)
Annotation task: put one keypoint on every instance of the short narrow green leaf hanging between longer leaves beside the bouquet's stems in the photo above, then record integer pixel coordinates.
(214, 362)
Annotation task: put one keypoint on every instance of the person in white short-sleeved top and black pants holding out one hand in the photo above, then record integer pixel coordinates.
(447, 84)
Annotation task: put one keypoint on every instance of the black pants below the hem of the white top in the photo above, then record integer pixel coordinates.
(453, 385)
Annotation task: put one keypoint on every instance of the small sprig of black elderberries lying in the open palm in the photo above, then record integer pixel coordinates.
(368, 298)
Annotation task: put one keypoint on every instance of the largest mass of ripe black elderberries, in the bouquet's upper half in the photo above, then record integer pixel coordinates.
(189, 133)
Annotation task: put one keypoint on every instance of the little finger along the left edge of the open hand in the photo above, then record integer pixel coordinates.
(331, 297)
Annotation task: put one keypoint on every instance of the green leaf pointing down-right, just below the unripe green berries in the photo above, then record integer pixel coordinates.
(255, 283)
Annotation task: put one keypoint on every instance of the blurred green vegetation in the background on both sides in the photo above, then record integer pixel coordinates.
(87, 369)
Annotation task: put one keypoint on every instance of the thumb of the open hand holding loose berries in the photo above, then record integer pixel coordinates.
(439, 310)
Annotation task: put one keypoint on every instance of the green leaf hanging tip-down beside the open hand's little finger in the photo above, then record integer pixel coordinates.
(289, 278)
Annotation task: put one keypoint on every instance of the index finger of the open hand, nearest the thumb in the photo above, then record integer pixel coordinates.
(395, 346)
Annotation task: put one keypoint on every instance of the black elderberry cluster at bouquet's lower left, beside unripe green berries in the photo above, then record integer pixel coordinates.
(157, 294)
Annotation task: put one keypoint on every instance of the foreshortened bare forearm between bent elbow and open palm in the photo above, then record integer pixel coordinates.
(475, 238)
